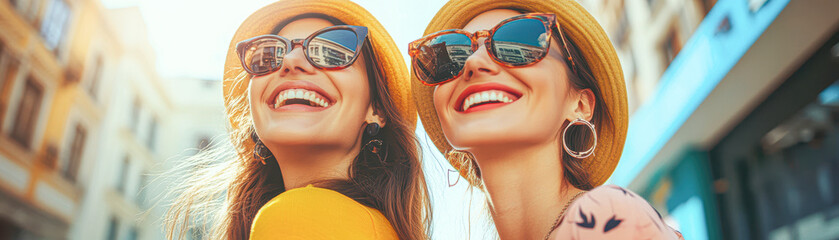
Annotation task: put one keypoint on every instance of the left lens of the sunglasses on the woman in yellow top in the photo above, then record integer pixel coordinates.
(264, 55)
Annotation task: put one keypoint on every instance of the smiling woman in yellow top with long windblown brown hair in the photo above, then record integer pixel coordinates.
(322, 123)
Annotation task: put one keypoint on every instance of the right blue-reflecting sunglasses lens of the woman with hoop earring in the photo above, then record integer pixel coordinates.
(520, 42)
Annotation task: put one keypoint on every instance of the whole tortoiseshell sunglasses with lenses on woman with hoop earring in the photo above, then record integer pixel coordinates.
(518, 41)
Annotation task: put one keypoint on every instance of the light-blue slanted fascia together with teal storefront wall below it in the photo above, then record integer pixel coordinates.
(724, 36)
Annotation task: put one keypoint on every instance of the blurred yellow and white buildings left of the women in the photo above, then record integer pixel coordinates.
(87, 125)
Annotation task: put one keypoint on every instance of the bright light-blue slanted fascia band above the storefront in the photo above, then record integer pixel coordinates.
(710, 53)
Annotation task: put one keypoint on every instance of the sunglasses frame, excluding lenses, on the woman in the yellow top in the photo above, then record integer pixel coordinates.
(360, 33)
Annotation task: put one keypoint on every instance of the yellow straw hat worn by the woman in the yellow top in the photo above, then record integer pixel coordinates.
(264, 20)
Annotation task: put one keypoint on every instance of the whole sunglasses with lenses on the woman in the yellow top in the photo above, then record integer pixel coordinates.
(331, 48)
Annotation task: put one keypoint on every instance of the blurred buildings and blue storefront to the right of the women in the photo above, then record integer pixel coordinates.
(733, 113)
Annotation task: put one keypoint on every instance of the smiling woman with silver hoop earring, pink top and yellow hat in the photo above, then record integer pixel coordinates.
(527, 100)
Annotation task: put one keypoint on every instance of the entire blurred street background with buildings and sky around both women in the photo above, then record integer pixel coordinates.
(734, 105)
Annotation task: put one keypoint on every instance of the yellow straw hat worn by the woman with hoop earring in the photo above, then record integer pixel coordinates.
(595, 47)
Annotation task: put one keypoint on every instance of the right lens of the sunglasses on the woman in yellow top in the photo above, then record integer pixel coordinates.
(335, 48)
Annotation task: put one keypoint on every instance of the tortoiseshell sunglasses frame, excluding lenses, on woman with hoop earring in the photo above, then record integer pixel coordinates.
(547, 19)
